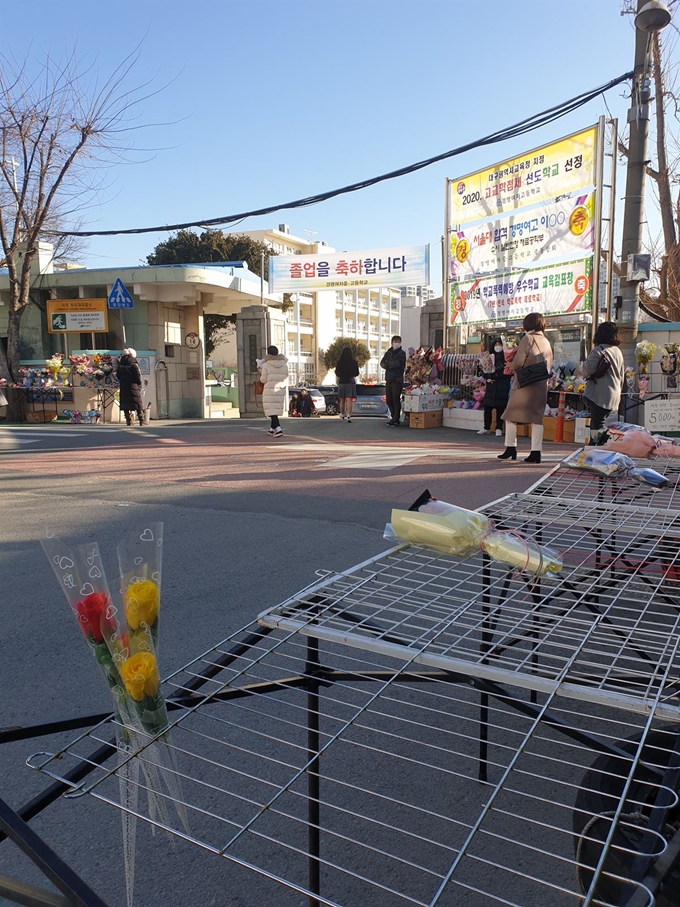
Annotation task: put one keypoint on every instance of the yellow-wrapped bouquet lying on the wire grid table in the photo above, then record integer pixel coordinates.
(454, 530)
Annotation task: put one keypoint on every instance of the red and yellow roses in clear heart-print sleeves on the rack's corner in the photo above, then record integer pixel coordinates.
(123, 637)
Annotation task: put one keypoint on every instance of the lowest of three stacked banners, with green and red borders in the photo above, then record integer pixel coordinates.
(557, 290)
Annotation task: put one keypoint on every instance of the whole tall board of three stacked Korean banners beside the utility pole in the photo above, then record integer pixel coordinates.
(522, 234)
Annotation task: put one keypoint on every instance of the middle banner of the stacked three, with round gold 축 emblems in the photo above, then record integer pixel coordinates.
(556, 231)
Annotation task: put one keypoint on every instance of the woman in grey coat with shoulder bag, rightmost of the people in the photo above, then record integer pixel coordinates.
(604, 371)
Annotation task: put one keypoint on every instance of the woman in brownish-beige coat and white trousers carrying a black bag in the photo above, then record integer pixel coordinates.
(527, 404)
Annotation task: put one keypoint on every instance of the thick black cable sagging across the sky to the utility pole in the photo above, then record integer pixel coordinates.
(521, 128)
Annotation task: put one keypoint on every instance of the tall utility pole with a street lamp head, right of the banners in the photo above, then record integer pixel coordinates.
(652, 15)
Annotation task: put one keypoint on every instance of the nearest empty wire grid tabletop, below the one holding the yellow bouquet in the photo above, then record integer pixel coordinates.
(385, 783)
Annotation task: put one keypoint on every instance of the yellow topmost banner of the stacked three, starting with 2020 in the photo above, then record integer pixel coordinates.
(561, 168)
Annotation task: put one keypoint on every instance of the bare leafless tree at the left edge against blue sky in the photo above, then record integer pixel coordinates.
(63, 129)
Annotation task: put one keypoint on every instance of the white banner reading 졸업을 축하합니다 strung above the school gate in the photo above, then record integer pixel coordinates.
(403, 266)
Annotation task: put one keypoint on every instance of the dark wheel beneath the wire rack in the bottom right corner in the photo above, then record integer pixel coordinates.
(598, 799)
